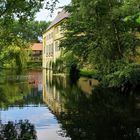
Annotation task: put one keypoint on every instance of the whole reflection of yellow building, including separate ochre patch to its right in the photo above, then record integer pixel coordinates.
(57, 88)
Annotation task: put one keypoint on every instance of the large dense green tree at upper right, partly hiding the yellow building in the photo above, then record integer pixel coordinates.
(97, 33)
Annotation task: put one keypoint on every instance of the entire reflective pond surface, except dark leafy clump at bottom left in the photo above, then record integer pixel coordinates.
(68, 111)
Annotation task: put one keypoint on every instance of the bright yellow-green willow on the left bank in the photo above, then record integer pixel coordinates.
(15, 55)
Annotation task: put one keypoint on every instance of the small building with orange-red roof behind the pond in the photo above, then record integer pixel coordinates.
(36, 52)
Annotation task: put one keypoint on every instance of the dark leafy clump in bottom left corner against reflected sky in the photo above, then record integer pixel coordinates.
(21, 130)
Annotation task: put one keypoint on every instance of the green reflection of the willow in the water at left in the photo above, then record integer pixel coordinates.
(14, 89)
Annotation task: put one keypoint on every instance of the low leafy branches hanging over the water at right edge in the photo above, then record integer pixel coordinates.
(126, 76)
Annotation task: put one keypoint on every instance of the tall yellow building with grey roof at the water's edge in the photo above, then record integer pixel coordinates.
(51, 40)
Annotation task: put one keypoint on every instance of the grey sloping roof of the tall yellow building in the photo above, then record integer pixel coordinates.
(61, 15)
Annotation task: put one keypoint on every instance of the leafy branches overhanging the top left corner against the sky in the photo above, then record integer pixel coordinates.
(23, 11)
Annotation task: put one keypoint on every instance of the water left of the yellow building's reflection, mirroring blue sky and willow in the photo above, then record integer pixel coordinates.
(21, 99)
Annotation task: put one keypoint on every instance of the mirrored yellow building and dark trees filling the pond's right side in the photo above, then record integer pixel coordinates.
(103, 115)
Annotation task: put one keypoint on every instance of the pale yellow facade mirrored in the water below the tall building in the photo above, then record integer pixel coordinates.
(51, 95)
